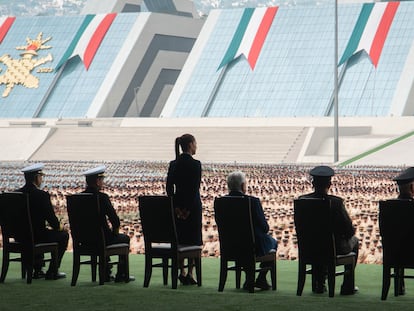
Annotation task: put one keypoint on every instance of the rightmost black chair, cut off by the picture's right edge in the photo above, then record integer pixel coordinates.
(397, 233)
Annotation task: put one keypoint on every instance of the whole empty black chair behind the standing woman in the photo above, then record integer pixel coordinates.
(160, 236)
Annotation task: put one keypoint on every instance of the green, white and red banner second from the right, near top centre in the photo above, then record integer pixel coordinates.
(250, 35)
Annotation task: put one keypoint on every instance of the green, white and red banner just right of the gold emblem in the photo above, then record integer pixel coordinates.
(88, 38)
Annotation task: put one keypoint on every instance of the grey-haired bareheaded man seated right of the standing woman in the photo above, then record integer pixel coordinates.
(236, 183)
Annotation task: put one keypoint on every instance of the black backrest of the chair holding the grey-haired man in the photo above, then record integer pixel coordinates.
(234, 223)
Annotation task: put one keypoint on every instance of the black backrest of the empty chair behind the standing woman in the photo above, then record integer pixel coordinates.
(157, 220)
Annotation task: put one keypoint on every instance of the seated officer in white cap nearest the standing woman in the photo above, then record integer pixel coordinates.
(94, 184)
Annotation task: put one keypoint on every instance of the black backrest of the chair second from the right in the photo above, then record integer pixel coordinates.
(316, 242)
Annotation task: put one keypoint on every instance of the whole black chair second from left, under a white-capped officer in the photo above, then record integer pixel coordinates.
(88, 238)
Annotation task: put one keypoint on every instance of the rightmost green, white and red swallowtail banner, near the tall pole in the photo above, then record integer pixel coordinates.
(371, 30)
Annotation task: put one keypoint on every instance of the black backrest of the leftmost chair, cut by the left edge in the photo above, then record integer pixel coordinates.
(15, 218)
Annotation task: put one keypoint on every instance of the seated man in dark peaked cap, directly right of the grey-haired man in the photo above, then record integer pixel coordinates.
(345, 241)
